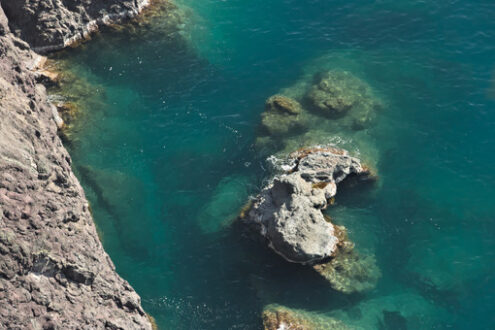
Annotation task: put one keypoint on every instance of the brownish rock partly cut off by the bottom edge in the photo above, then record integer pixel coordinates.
(276, 317)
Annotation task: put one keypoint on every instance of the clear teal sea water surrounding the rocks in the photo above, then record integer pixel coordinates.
(176, 123)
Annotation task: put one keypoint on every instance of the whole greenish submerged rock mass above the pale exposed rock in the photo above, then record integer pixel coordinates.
(332, 107)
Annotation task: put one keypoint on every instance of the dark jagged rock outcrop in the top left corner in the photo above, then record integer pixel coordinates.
(49, 25)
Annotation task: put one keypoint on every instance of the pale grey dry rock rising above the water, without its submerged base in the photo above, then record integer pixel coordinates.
(288, 212)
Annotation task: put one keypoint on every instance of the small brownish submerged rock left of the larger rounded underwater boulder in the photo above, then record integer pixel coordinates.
(282, 116)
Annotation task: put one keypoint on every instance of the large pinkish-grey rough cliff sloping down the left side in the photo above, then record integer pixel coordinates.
(54, 273)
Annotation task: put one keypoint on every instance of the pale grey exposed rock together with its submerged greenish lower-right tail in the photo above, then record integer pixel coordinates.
(288, 214)
